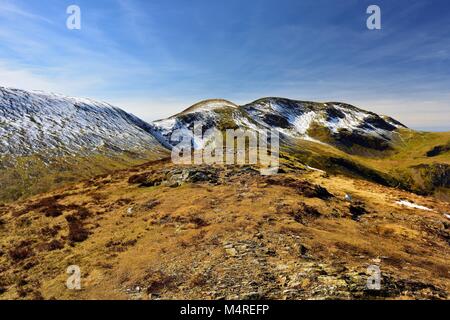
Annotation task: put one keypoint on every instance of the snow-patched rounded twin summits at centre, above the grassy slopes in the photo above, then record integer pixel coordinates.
(337, 122)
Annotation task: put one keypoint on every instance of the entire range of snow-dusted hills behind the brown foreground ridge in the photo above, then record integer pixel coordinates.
(48, 140)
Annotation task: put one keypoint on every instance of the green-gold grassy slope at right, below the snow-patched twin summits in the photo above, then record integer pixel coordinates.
(412, 163)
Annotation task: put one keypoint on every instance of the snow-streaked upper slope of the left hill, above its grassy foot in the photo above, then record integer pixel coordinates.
(51, 124)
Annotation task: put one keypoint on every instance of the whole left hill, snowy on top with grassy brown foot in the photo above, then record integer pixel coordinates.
(47, 140)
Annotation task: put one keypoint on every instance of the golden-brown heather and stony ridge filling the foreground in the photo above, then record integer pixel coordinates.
(160, 231)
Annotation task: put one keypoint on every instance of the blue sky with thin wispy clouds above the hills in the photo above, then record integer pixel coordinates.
(155, 58)
